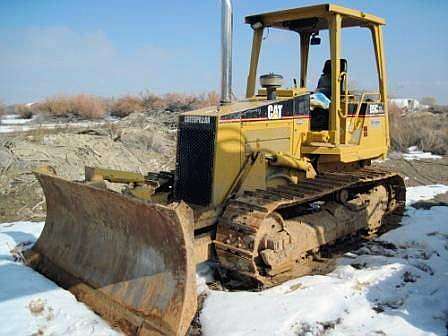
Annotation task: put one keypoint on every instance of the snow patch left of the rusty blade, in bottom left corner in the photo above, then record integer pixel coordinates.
(30, 304)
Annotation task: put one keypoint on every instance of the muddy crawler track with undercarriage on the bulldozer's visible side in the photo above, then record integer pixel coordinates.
(264, 235)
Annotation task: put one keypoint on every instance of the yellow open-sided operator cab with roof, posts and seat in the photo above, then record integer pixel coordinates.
(334, 111)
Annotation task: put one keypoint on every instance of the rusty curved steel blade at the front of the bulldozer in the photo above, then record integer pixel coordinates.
(131, 261)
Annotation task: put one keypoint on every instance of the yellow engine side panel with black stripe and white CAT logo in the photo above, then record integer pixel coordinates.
(273, 127)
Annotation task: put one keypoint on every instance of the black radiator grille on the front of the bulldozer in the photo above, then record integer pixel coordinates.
(194, 160)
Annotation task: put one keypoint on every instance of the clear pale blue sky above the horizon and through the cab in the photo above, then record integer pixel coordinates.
(113, 48)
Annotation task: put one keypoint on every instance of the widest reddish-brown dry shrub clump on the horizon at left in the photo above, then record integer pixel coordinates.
(83, 106)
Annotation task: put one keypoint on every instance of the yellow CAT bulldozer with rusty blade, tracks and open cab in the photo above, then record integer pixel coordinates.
(260, 185)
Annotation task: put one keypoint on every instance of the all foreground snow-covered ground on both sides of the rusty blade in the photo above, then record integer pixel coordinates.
(397, 285)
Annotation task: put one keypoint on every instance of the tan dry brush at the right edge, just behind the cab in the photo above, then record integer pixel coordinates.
(427, 131)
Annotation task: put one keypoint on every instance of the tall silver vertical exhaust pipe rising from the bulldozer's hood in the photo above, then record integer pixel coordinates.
(226, 51)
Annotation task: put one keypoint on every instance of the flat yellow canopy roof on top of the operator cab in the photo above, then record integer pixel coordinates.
(313, 18)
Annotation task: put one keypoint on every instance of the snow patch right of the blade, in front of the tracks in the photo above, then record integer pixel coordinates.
(389, 290)
